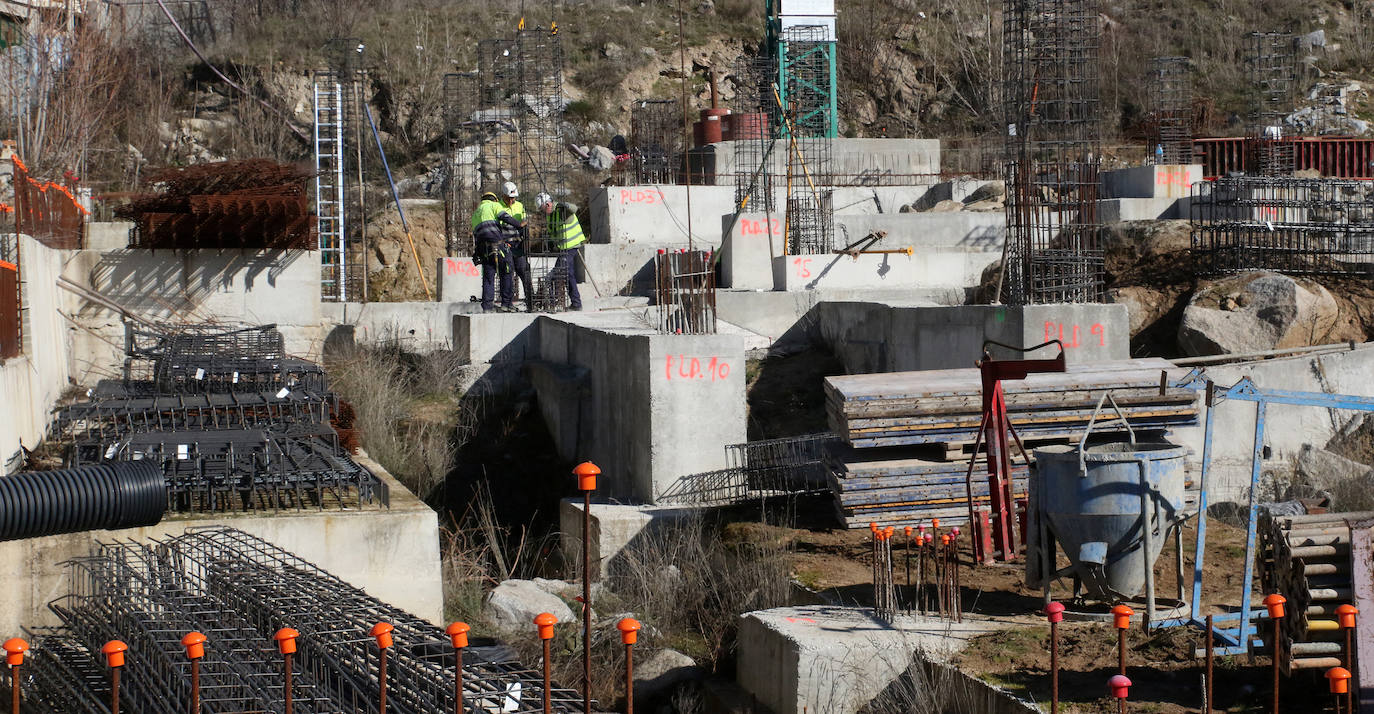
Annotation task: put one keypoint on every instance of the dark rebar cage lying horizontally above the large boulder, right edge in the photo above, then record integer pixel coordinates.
(1285, 224)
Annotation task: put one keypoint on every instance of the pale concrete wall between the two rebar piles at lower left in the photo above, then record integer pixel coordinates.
(392, 554)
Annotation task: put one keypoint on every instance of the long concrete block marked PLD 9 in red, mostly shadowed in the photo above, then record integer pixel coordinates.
(870, 337)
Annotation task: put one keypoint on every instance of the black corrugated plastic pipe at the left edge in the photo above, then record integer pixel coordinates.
(119, 495)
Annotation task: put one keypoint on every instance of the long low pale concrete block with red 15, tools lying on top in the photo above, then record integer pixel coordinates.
(936, 268)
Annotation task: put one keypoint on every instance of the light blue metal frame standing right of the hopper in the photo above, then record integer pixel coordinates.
(1235, 641)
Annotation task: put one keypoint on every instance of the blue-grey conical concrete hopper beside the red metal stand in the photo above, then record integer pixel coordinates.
(1093, 499)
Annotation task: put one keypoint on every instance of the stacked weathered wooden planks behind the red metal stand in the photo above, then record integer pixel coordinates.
(909, 437)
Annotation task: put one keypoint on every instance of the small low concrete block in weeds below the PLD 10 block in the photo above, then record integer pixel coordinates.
(613, 529)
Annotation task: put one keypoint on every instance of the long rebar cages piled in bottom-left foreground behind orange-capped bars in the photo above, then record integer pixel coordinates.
(240, 590)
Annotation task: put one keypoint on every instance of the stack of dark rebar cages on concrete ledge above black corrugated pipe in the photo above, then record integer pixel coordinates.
(230, 421)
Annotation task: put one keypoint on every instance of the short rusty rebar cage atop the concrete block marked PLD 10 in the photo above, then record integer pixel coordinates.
(686, 293)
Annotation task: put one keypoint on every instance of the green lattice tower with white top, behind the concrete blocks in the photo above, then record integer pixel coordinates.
(802, 38)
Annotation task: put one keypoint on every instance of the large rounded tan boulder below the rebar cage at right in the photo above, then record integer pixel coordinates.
(1258, 312)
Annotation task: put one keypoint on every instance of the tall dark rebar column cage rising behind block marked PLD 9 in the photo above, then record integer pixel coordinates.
(1052, 112)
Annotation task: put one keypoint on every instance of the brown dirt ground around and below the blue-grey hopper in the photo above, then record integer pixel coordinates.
(1167, 679)
